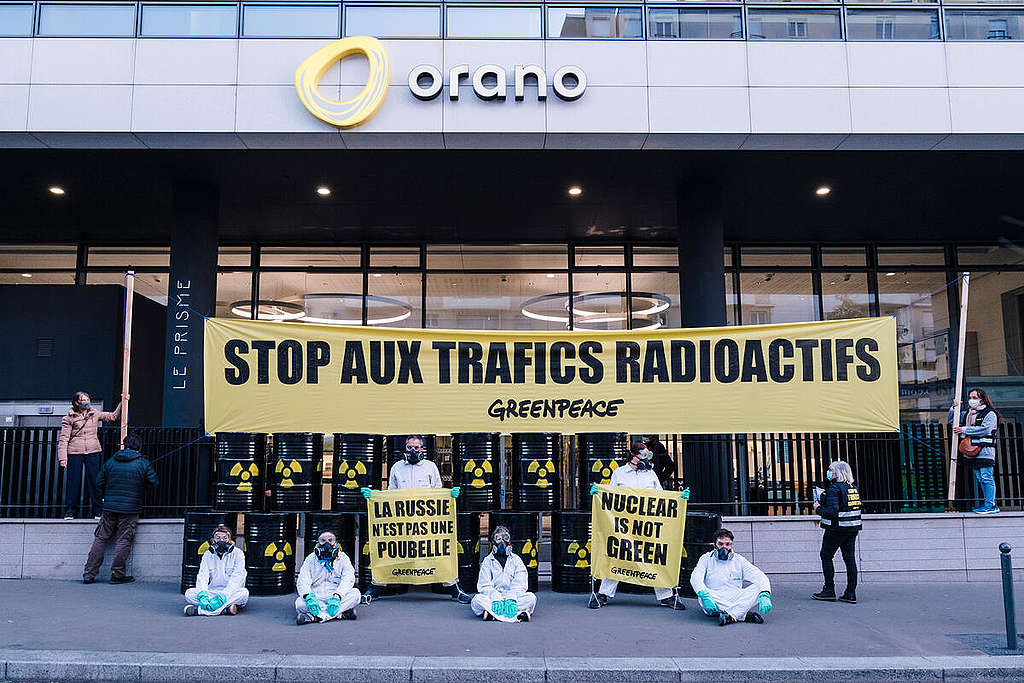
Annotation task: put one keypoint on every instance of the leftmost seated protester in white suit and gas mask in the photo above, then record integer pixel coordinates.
(221, 586)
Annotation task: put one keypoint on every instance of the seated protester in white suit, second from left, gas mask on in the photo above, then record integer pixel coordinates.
(326, 584)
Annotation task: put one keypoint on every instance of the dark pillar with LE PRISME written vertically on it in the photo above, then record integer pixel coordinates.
(192, 294)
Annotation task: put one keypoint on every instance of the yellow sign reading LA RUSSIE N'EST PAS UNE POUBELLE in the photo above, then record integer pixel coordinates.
(413, 536)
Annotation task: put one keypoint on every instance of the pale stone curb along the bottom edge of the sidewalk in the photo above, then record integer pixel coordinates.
(70, 665)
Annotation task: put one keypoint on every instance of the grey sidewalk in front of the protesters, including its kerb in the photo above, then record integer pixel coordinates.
(905, 631)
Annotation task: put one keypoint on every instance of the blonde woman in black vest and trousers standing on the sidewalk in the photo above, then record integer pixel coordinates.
(840, 511)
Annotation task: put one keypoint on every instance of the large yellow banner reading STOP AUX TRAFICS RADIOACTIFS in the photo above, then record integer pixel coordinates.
(800, 377)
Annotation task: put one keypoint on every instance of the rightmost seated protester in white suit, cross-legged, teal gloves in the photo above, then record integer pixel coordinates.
(729, 586)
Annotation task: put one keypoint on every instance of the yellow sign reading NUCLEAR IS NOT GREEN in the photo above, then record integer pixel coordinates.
(637, 535)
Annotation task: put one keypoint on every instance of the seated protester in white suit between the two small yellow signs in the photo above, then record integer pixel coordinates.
(503, 584)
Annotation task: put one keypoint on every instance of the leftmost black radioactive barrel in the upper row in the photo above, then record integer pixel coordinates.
(239, 472)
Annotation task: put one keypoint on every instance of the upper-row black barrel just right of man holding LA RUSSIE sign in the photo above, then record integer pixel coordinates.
(477, 468)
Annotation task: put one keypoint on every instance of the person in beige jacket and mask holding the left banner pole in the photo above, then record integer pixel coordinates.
(78, 448)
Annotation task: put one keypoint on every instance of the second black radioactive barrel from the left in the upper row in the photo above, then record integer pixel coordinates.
(296, 469)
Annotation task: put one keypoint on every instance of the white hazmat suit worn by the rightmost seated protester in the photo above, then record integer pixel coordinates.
(726, 581)
